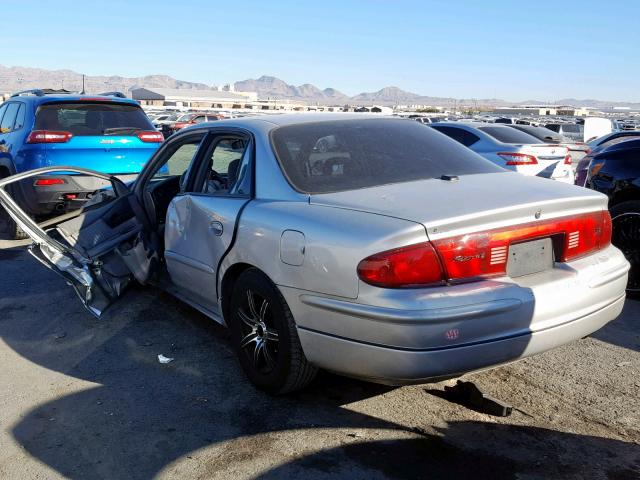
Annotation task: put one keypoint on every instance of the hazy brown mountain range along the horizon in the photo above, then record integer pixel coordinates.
(268, 87)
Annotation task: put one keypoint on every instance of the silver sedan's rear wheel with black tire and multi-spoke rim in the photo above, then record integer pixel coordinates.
(264, 335)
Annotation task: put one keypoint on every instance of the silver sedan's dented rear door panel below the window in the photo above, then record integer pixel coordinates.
(199, 230)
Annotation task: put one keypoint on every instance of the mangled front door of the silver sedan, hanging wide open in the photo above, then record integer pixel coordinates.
(82, 249)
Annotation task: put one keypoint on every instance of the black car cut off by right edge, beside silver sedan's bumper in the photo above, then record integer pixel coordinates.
(615, 171)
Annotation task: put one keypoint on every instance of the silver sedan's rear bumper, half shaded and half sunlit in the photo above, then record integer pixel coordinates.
(410, 336)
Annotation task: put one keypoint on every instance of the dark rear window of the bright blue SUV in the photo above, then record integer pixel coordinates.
(91, 119)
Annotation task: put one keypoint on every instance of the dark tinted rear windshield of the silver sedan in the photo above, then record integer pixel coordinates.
(334, 156)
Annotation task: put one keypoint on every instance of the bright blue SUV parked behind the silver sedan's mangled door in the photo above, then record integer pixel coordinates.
(43, 128)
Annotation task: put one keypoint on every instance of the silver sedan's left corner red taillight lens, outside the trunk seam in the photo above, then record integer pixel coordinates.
(412, 266)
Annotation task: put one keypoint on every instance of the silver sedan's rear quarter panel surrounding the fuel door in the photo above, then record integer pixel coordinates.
(336, 239)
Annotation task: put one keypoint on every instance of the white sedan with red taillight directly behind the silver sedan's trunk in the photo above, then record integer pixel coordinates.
(512, 149)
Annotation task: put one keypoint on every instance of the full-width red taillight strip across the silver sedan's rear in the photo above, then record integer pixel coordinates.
(484, 254)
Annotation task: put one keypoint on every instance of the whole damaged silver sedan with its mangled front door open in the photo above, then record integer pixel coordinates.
(392, 253)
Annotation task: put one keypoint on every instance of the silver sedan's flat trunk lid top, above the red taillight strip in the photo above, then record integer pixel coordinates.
(472, 203)
